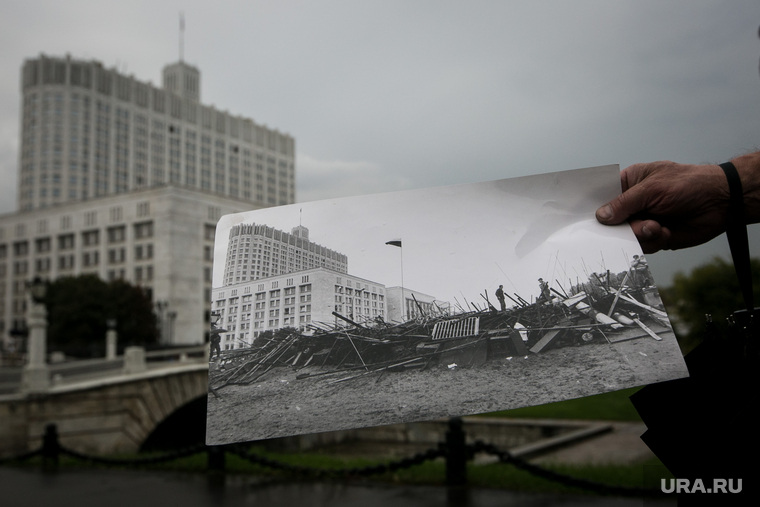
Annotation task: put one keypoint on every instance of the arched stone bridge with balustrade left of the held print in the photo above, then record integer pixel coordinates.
(105, 412)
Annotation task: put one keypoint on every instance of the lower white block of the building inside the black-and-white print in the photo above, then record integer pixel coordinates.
(304, 300)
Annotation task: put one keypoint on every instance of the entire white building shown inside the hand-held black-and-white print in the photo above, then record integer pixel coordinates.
(274, 279)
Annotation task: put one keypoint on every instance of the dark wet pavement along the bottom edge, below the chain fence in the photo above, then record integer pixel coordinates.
(125, 488)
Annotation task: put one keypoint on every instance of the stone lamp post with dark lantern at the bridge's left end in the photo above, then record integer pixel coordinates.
(36, 376)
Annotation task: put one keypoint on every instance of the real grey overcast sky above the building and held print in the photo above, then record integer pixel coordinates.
(393, 95)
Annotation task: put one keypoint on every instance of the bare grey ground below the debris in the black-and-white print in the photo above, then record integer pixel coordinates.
(287, 402)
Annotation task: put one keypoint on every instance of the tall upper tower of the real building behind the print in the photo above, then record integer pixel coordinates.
(88, 132)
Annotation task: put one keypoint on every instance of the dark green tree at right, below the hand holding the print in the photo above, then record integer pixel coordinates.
(709, 289)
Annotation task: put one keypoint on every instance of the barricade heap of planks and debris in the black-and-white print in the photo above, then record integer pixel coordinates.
(598, 311)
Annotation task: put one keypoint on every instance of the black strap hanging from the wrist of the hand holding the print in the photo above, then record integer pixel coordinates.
(736, 232)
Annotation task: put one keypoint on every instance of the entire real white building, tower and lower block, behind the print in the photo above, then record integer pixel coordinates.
(127, 180)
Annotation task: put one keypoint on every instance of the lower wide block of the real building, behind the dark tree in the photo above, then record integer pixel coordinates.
(160, 239)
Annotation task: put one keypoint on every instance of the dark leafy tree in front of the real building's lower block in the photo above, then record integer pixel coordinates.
(79, 308)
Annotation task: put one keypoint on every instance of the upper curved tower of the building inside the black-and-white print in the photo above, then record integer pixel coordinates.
(257, 251)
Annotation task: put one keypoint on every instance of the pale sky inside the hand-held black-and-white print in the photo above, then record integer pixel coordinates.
(461, 241)
